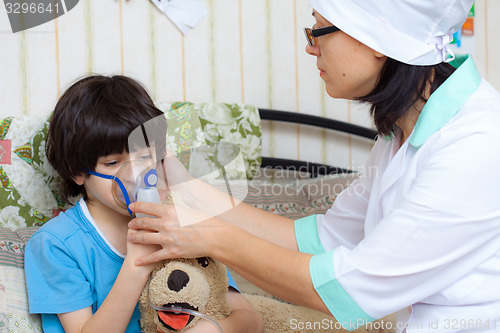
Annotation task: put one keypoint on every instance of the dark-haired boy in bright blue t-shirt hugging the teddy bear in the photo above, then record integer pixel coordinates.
(80, 269)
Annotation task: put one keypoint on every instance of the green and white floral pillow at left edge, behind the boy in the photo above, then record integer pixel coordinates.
(28, 191)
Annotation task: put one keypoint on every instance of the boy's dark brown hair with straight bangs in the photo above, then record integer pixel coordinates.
(94, 118)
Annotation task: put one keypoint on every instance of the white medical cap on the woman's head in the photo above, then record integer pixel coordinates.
(415, 32)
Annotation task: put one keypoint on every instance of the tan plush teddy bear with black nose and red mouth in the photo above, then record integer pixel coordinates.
(201, 284)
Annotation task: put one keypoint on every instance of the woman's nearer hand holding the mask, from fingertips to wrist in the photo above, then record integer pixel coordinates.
(181, 231)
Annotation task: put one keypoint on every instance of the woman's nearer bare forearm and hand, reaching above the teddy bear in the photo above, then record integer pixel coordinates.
(278, 270)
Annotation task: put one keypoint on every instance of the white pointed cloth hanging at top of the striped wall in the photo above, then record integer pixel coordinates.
(185, 14)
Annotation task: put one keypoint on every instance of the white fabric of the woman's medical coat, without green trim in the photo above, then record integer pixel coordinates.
(429, 220)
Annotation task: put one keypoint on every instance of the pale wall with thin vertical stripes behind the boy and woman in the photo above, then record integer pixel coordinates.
(249, 51)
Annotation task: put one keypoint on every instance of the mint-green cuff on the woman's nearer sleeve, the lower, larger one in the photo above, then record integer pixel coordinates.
(338, 301)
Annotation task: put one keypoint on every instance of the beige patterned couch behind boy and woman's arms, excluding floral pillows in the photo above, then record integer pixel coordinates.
(293, 199)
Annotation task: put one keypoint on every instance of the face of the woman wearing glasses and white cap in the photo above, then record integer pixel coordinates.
(349, 68)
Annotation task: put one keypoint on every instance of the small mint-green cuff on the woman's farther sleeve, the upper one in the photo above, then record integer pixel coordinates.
(306, 233)
